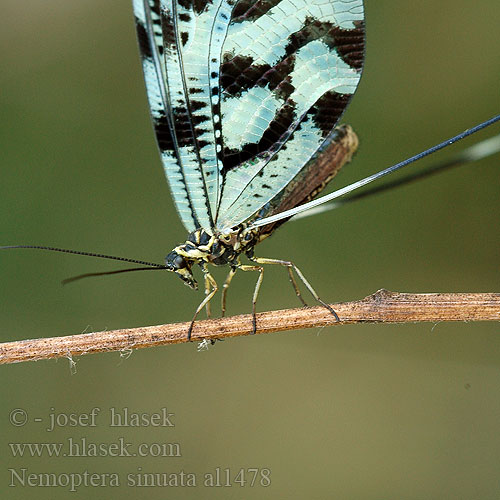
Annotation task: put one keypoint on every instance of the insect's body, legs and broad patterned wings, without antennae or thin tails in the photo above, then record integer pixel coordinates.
(245, 96)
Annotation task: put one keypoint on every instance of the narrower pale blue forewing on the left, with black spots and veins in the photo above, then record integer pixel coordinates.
(180, 46)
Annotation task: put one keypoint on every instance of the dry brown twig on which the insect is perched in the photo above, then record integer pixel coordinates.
(381, 307)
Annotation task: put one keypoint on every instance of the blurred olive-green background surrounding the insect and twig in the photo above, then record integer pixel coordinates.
(365, 411)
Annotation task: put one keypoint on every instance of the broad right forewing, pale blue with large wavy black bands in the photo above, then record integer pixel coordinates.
(289, 68)
